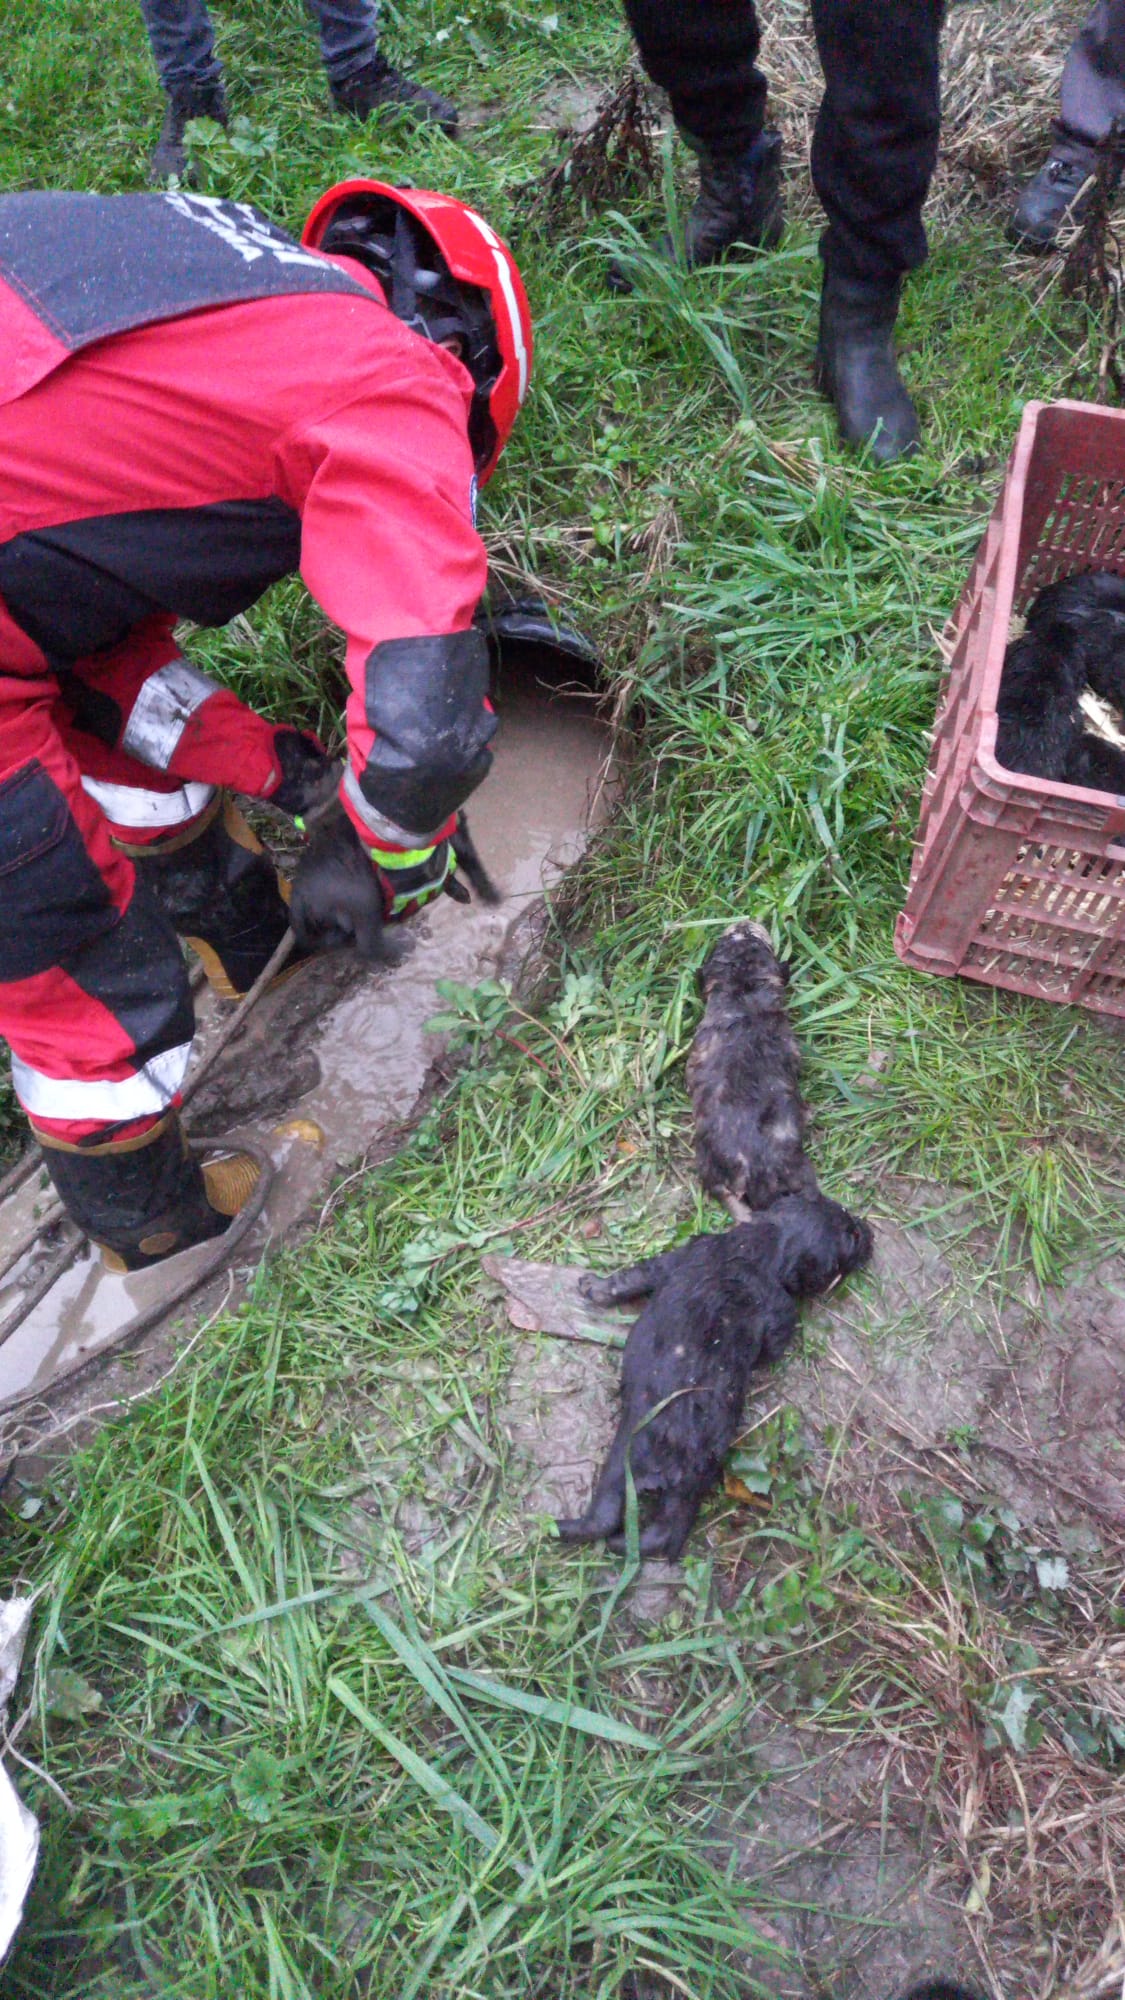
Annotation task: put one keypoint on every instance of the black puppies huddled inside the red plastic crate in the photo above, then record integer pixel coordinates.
(1074, 639)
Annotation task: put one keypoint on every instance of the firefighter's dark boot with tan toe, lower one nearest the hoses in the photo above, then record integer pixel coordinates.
(147, 1199)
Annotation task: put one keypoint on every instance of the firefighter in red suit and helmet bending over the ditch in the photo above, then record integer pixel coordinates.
(195, 405)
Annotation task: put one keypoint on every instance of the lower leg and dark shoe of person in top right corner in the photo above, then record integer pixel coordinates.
(1092, 103)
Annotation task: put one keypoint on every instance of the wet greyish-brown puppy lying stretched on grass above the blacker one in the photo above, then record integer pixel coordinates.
(742, 1075)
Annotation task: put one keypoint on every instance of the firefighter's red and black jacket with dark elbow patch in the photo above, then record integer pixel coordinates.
(195, 407)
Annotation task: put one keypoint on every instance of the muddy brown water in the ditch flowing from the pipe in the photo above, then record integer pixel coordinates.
(359, 1061)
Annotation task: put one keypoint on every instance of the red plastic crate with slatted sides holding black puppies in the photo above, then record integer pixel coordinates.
(1020, 881)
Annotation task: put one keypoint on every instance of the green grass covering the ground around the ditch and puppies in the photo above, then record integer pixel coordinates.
(325, 1757)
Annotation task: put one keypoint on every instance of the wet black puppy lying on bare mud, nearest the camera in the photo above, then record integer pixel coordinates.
(718, 1309)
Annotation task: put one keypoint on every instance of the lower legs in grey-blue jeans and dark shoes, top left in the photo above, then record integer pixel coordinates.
(359, 77)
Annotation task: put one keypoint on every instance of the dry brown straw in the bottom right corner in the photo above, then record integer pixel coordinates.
(1040, 1835)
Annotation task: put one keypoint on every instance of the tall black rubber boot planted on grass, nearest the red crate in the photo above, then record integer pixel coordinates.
(858, 369)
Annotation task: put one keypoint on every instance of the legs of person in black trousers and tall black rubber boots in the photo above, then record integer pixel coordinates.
(874, 157)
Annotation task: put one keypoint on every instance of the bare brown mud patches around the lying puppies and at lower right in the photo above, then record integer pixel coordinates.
(922, 1365)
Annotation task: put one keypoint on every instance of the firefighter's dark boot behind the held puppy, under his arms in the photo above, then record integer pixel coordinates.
(223, 895)
